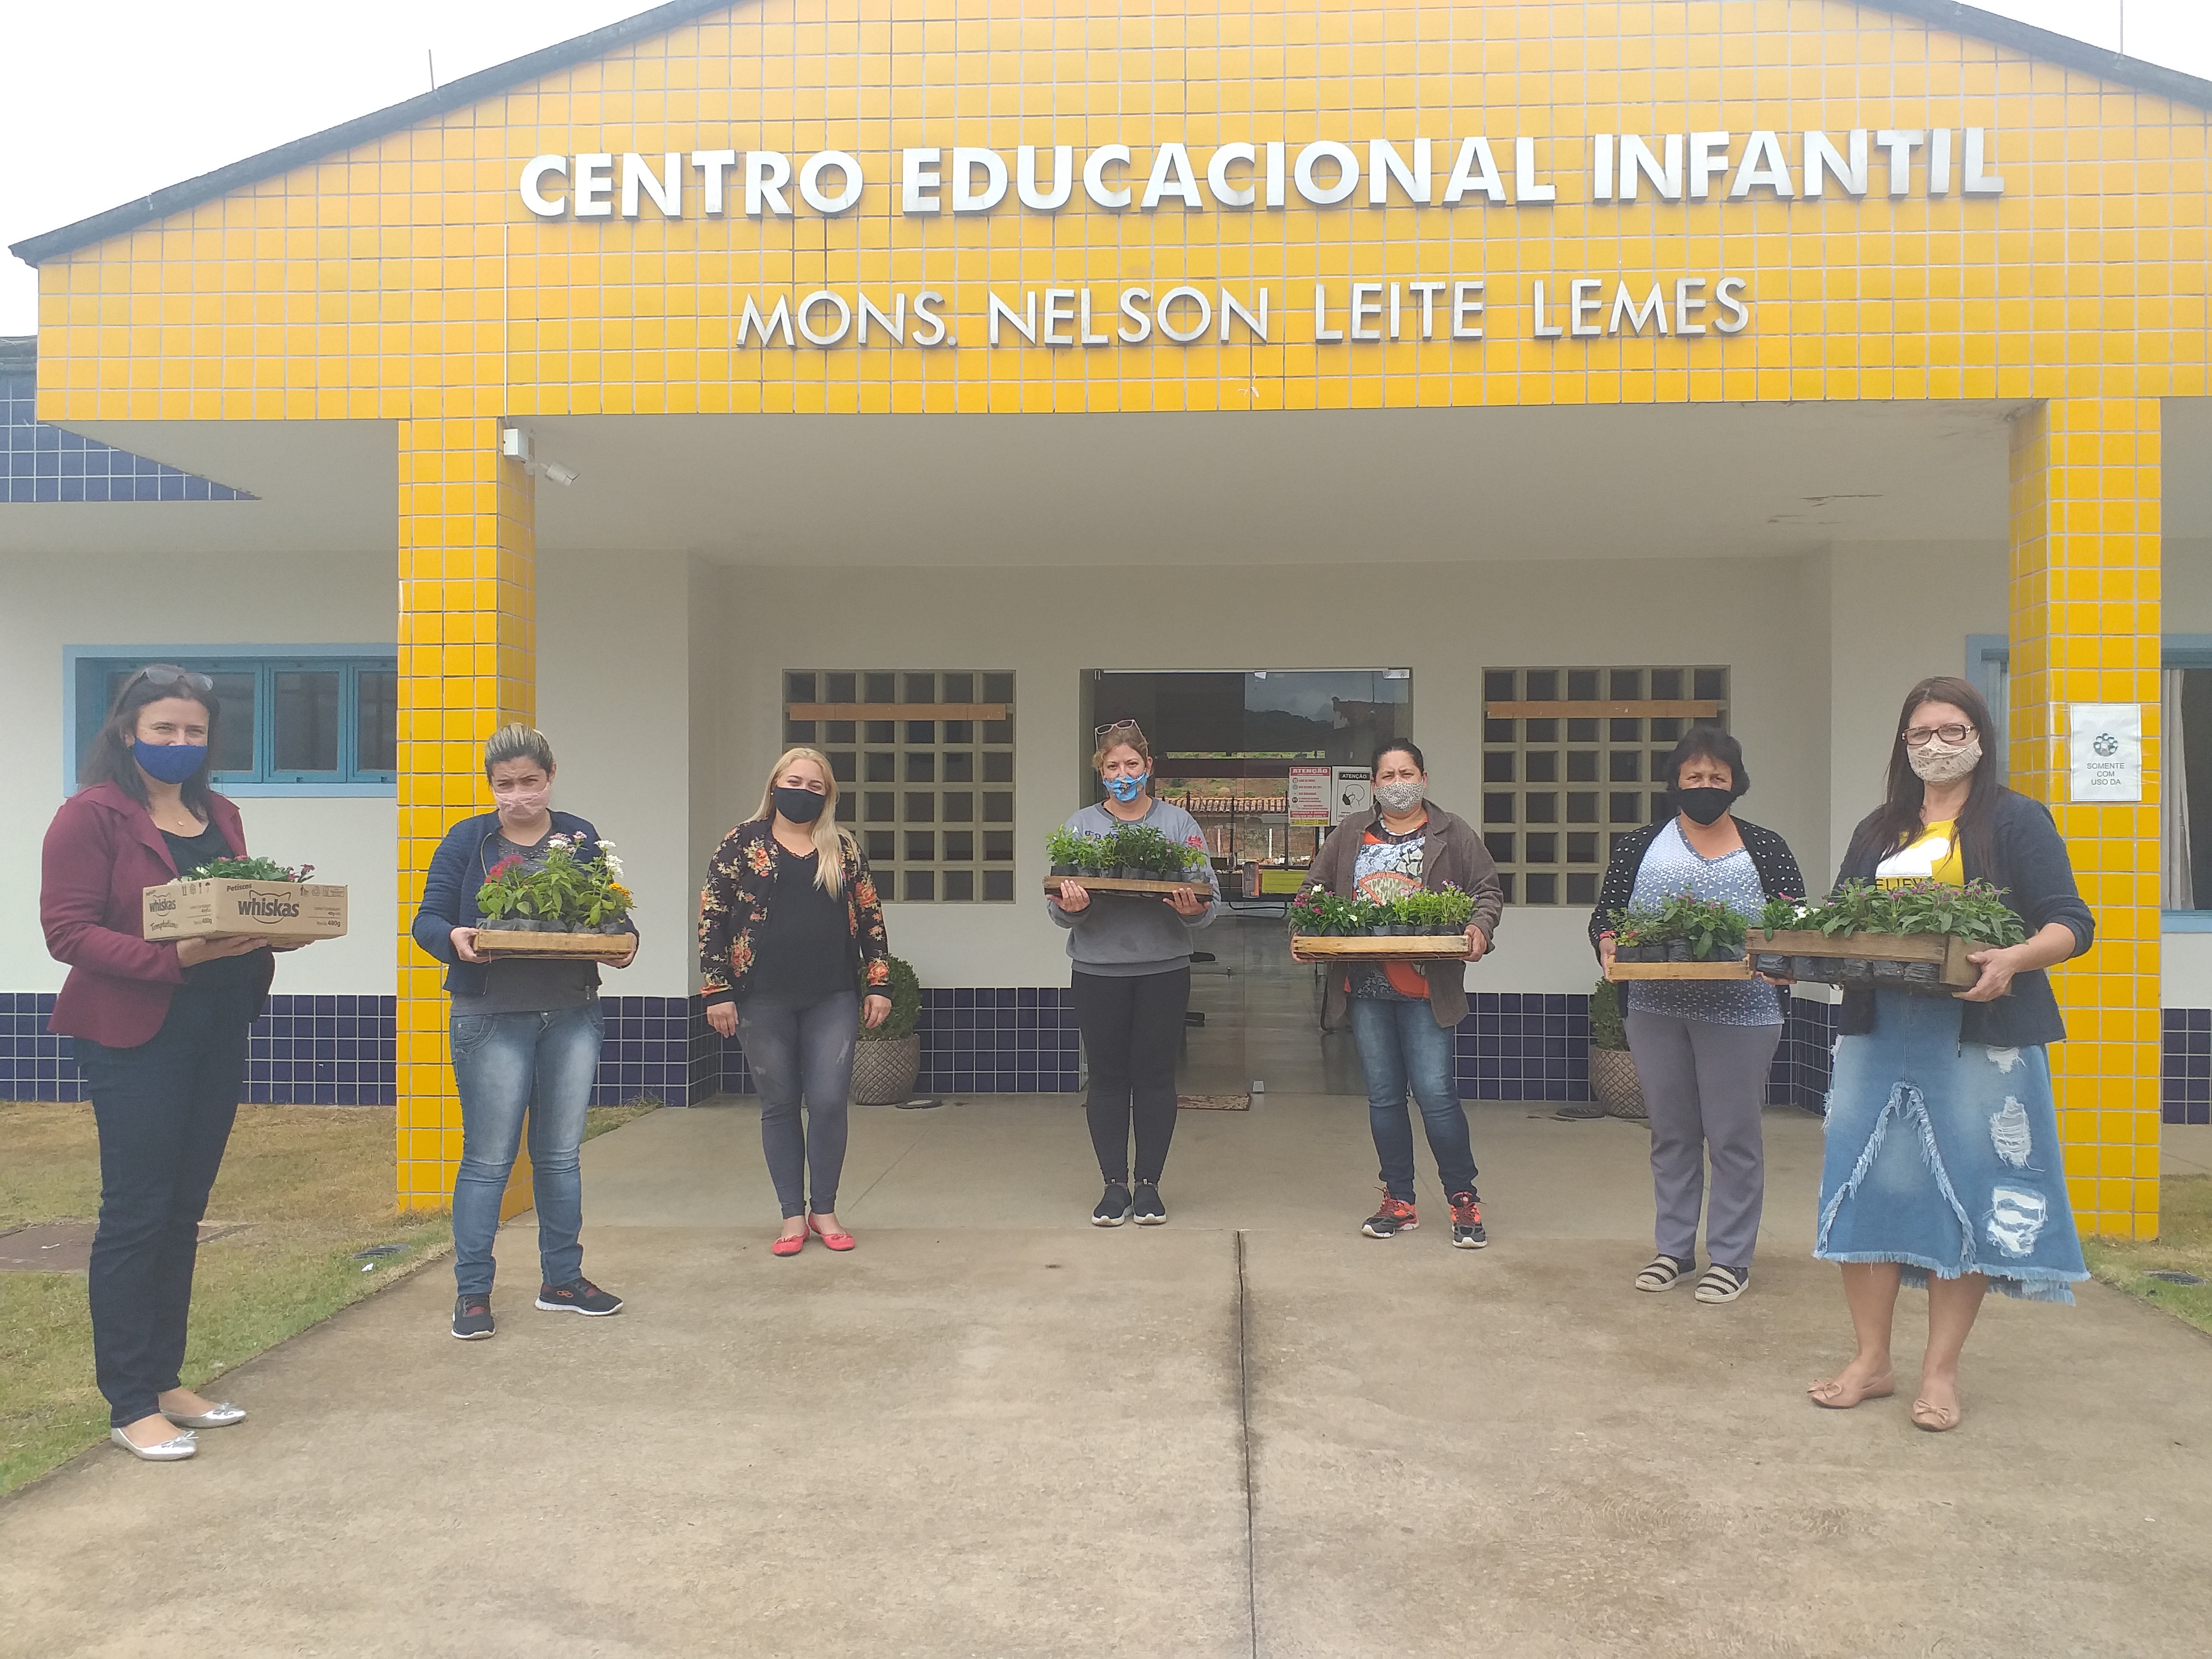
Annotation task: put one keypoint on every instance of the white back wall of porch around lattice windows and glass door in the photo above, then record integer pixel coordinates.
(1446, 623)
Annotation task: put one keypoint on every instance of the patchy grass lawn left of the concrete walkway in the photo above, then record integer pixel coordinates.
(311, 1185)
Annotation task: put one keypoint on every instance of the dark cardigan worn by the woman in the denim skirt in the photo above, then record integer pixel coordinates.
(2030, 862)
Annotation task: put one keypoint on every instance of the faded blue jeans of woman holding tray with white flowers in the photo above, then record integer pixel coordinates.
(510, 1065)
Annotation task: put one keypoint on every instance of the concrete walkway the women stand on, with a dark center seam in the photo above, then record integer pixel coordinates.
(999, 1432)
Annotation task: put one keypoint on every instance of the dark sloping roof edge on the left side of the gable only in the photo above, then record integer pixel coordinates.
(364, 129)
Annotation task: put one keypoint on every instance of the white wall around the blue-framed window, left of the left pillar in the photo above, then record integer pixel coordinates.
(194, 601)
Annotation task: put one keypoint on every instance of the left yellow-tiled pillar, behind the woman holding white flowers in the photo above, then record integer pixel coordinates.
(468, 667)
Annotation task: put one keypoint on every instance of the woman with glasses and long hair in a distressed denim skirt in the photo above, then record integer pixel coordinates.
(1943, 1160)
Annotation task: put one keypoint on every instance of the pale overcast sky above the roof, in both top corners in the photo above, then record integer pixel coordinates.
(109, 103)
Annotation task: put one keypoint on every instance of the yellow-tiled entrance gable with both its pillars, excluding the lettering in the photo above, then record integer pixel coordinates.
(406, 282)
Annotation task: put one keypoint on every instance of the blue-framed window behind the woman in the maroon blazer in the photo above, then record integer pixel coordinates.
(295, 720)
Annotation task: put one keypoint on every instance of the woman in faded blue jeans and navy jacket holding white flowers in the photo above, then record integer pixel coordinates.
(525, 1041)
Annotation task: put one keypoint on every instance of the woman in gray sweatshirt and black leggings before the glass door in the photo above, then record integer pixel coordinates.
(1131, 981)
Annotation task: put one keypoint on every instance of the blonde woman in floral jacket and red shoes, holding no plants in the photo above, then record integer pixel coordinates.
(795, 959)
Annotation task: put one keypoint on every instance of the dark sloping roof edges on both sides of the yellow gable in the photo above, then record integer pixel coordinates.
(1945, 14)
